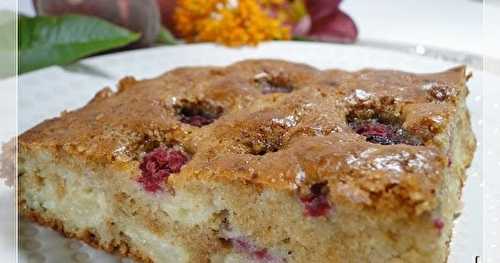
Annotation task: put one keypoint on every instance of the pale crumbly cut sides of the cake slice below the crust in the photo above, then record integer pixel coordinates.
(214, 220)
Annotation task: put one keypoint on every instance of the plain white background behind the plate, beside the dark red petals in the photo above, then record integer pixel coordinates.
(452, 24)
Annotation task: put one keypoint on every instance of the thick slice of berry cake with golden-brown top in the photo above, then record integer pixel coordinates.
(260, 161)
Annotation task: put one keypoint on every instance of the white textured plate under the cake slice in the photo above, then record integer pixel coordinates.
(44, 94)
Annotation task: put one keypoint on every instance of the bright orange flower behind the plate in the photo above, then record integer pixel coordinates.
(231, 22)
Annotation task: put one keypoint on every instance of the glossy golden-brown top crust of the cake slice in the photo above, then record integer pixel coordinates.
(285, 141)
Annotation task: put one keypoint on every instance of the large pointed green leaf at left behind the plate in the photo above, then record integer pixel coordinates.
(44, 41)
